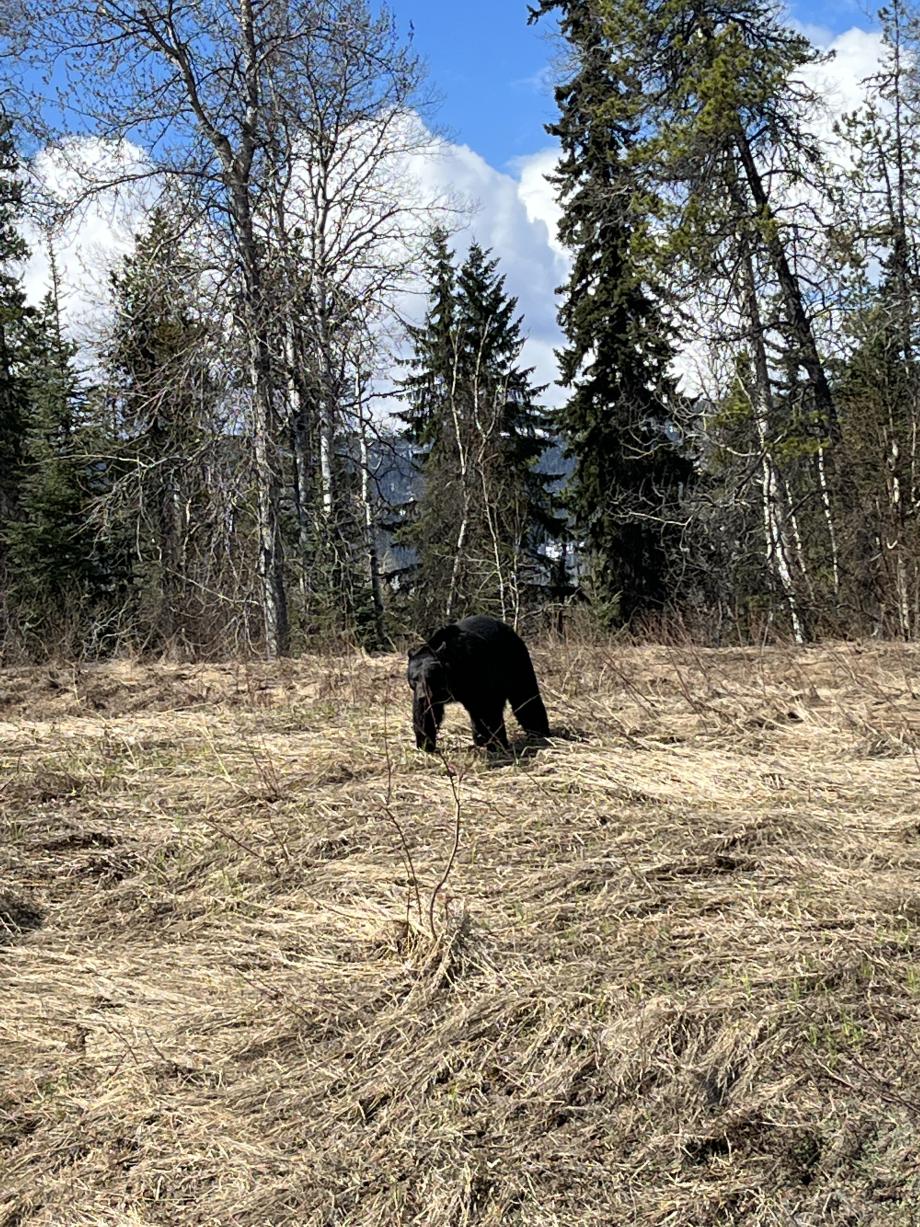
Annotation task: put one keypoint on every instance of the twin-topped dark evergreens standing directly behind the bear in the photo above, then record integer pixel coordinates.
(485, 511)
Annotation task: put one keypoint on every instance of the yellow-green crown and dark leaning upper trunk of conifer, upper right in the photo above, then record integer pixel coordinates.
(717, 98)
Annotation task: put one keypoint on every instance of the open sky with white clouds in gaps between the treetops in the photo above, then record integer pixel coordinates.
(493, 74)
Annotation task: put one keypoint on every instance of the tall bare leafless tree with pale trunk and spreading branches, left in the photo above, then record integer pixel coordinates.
(226, 100)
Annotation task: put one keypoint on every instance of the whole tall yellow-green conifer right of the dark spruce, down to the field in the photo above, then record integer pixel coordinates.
(719, 104)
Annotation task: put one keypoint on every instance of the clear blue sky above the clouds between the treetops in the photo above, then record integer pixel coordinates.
(490, 68)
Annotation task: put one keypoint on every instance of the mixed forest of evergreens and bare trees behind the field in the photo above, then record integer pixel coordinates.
(263, 448)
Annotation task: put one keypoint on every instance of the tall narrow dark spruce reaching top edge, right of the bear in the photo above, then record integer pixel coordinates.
(620, 419)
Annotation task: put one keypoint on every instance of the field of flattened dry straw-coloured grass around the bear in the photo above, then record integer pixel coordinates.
(673, 976)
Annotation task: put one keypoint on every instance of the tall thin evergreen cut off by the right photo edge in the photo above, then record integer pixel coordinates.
(879, 385)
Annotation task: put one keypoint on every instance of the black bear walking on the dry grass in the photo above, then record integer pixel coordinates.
(484, 664)
